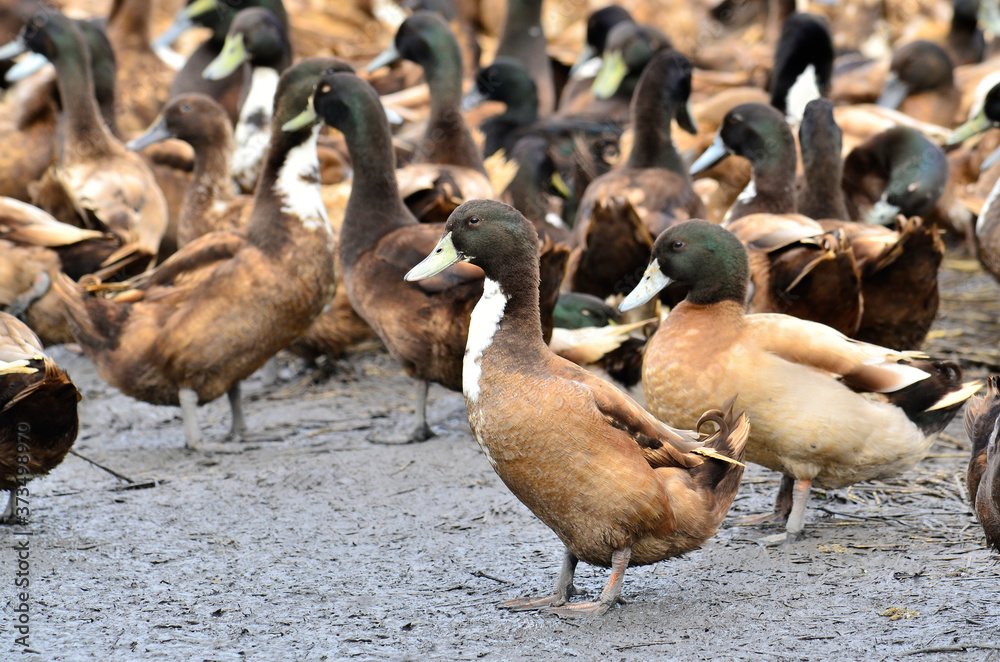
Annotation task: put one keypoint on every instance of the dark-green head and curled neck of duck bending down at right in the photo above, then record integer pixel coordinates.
(880, 180)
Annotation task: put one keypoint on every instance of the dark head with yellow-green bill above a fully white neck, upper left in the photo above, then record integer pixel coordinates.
(256, 36)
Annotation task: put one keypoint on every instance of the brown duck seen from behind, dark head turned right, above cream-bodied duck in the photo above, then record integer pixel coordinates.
(622, 211)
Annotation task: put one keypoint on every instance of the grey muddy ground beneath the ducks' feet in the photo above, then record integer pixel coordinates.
(312, 543)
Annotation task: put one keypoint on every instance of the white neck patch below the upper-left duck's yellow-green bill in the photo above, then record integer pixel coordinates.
(251, 138)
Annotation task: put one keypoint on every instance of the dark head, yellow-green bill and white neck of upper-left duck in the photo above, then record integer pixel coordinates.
(258, 37)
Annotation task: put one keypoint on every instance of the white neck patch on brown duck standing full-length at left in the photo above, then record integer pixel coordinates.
(298, 185)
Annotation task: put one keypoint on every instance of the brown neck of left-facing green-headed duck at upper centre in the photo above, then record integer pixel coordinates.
(447, 139)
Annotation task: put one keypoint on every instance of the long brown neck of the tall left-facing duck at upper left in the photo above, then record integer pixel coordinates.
(85, 128)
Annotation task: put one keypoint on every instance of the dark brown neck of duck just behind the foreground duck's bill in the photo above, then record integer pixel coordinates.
(374, 207)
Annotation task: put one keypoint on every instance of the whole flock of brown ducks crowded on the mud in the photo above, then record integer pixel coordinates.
(799, 289)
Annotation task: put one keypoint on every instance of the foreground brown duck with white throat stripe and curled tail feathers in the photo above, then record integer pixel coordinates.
(619, 488)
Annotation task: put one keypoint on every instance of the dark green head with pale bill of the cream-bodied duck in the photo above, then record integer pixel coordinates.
(706, 258)
